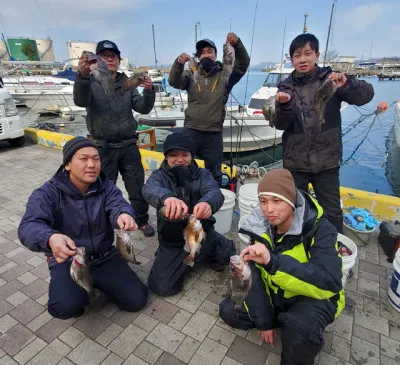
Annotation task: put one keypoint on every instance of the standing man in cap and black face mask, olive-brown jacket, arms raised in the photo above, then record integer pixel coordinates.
(207, 96)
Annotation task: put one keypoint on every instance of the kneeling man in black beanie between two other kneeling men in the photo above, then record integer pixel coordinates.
(181, 187)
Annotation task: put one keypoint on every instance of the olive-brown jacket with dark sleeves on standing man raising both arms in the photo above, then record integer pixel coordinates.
(208, 96)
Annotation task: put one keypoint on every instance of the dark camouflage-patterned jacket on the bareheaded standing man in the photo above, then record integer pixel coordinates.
(306, 146)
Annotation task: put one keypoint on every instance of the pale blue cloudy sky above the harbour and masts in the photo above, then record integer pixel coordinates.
(357, 23)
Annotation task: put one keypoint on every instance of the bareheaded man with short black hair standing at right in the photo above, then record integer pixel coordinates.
(313, 151)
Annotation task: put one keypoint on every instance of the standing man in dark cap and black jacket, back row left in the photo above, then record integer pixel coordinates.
(113, 128)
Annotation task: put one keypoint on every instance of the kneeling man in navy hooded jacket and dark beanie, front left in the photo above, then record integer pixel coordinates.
(77, 208)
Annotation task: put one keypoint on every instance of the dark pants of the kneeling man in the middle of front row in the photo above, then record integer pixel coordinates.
(167, 273)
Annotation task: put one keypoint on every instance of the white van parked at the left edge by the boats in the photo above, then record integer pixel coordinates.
(11, 128)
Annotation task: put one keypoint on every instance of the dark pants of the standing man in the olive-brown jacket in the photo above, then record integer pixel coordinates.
(208, 146)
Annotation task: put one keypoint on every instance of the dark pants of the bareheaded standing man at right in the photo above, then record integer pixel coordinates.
(327, 190)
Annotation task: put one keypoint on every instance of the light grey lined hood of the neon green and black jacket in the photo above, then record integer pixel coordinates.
(307, 212)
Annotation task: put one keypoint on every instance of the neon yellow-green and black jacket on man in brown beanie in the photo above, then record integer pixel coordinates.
(305, 264)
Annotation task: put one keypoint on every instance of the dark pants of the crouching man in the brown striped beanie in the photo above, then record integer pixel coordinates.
(302, 327)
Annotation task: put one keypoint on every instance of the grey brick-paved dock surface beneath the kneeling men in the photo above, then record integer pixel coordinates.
(183, 329)
